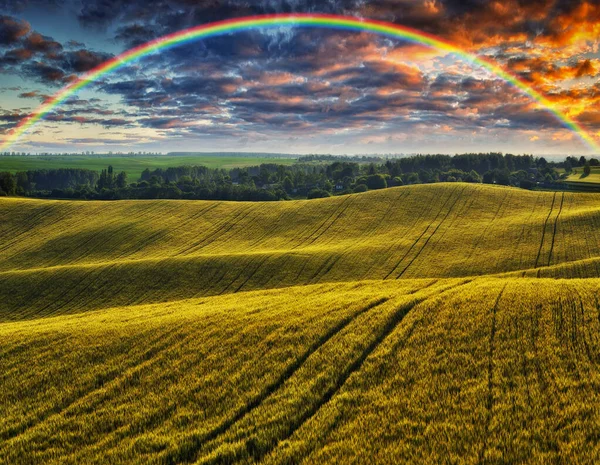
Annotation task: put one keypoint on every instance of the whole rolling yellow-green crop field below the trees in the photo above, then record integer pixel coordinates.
(445, 323)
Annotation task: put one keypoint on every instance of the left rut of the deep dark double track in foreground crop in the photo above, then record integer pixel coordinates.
(188, 450)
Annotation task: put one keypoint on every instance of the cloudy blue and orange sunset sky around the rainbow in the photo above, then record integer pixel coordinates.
(302, 90)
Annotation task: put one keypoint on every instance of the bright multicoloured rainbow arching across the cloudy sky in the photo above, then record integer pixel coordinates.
(292, 20)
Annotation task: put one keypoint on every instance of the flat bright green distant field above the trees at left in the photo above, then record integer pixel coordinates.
(133, 166)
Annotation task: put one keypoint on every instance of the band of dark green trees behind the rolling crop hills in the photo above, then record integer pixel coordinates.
(305, 179)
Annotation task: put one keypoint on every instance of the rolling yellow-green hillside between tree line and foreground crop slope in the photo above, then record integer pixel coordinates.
(63, 256)
